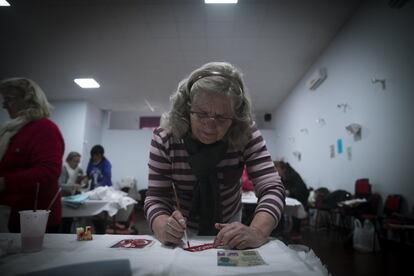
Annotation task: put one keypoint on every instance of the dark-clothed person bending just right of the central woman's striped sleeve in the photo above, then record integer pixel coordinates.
(295, 188)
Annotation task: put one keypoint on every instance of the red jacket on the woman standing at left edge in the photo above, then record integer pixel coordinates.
(34, 155)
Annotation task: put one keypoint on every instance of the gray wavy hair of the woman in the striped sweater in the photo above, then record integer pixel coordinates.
(213, 77)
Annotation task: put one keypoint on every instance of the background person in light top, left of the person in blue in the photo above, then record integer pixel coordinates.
(72, 176)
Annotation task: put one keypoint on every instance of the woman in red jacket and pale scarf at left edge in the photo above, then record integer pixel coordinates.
(31, 151)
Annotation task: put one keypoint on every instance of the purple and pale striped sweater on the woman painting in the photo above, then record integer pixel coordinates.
(168, 162)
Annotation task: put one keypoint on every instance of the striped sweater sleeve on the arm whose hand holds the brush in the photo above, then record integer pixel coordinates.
(159, 195)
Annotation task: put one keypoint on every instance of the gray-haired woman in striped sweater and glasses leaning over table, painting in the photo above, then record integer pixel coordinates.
(200, 149)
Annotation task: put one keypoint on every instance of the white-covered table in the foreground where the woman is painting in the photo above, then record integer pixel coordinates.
(156, 259)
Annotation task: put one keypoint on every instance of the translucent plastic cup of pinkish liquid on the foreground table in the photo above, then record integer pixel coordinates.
(32, 229)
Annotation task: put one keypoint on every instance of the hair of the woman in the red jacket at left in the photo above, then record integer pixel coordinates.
(36, 105)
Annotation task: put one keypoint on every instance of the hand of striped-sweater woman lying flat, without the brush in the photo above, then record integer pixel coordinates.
(239, 236)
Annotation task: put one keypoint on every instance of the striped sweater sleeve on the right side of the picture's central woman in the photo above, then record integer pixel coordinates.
(268, 186)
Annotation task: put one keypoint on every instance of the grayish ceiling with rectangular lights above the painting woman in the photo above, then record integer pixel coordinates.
(139, 50)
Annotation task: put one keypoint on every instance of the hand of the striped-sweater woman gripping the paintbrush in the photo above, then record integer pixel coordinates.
(170, 229)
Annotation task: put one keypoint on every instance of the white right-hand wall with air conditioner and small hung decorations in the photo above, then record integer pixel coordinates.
(377, 43)
